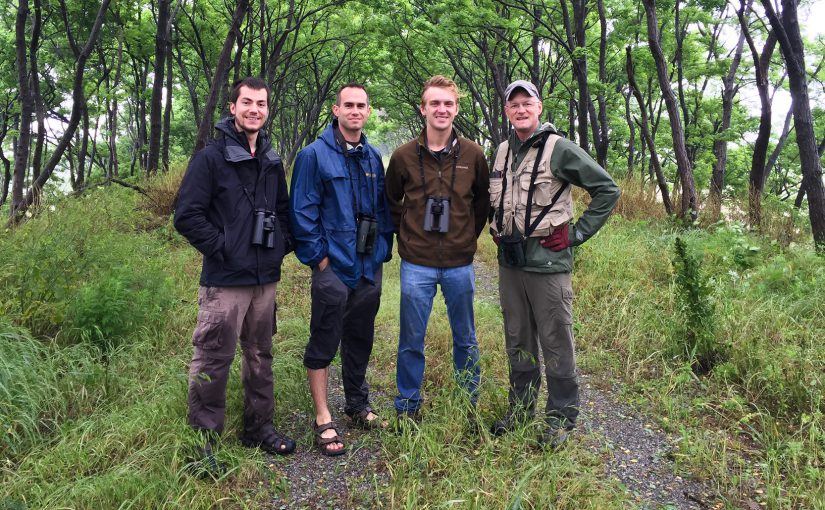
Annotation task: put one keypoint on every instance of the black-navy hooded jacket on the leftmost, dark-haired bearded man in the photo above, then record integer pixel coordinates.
(222, 186)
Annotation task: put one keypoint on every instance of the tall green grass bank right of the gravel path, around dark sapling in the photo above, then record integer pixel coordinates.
(763, 406)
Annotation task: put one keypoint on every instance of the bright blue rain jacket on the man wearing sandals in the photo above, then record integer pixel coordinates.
(323, 190)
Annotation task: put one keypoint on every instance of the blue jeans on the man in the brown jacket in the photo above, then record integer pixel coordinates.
(418, 285)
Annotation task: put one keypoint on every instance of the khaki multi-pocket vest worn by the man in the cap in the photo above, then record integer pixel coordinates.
(518, 186)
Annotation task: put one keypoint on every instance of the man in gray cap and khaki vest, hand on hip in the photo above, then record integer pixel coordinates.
(531, 222)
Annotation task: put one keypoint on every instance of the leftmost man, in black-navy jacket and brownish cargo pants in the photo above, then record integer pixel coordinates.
(233, 207)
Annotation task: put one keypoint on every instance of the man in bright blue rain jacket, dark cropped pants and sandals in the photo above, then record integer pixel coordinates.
(343, 230)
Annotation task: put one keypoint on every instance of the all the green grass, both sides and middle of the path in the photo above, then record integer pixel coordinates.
(98, 301)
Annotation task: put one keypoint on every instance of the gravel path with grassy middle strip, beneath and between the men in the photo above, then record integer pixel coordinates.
(616, 452)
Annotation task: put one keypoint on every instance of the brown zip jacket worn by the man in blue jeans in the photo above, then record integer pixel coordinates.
(469, 200)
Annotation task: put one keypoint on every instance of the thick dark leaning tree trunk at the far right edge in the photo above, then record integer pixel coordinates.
(790, 44)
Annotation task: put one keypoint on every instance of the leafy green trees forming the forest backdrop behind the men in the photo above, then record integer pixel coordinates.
(678, 94)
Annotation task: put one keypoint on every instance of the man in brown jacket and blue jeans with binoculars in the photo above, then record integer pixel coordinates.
(437, 187)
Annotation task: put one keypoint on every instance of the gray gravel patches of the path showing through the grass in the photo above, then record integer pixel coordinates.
(634, 451)
